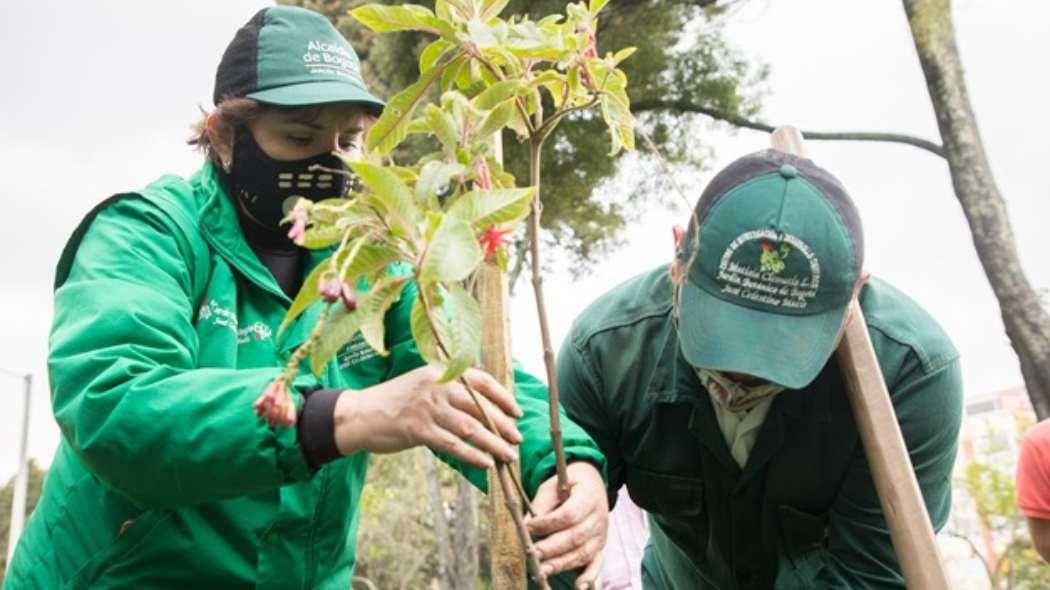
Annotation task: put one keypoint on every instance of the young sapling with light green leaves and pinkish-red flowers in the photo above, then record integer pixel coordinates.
(427, 227)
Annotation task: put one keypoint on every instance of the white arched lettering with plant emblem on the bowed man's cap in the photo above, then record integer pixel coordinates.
(763, 281)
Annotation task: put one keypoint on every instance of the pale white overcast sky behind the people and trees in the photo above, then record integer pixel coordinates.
(99, 95)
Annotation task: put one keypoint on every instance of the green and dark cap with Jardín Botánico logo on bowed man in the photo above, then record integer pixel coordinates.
(781, 251)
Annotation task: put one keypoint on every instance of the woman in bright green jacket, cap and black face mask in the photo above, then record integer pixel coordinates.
(166, 308)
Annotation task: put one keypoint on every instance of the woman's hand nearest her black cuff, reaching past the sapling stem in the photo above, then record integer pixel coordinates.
(415, 410)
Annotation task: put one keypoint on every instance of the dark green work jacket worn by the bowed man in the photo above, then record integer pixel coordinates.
(804, 513)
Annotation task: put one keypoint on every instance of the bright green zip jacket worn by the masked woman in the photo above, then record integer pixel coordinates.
(164, 334)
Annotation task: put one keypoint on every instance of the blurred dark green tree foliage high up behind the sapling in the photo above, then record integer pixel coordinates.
(683, 55)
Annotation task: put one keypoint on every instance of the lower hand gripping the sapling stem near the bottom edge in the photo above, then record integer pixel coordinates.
(576, 531)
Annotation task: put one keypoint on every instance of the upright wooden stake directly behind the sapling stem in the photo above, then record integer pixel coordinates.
(508, 564)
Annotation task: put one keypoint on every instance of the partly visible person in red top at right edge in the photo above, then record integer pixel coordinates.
(1034, 486)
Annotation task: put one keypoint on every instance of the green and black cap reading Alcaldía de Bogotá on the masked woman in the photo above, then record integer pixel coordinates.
(288, 56)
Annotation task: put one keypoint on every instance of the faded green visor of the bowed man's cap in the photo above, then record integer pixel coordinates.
(787, 350)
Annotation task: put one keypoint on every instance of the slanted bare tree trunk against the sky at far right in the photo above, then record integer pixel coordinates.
(1027, 323)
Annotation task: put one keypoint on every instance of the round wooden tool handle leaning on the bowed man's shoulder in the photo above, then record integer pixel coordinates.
(888, 457)
